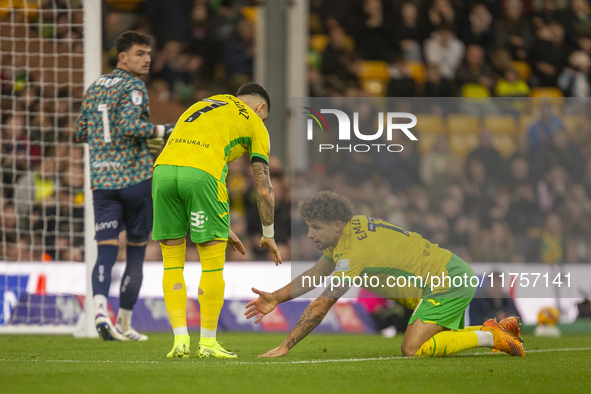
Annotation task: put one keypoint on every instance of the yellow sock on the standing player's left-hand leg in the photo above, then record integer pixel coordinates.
(173, 284)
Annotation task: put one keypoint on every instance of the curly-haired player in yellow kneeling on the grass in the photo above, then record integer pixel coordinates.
(360, 246)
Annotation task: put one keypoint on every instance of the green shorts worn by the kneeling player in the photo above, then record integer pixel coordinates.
(448, 308)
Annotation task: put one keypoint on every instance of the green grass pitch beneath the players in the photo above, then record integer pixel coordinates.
(322, 363)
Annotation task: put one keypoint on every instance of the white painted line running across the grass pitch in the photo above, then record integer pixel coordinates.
(342, 360)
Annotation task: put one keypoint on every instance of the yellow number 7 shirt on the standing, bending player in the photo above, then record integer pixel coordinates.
(212, 133)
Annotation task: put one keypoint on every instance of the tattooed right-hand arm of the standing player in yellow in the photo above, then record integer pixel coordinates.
(266, 206)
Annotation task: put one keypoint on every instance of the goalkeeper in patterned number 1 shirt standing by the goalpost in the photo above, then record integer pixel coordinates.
(113, 120)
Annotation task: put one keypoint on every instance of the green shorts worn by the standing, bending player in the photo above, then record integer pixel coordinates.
(186, 197)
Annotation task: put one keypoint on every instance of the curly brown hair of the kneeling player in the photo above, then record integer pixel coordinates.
(326, 206)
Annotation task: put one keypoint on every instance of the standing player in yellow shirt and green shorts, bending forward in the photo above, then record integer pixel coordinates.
(189, 192)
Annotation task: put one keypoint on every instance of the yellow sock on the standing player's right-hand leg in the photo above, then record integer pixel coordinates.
(211, 285)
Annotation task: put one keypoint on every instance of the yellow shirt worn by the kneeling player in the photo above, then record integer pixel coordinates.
(399, 261)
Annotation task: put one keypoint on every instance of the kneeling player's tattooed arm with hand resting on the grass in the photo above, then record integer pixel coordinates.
(309, 320)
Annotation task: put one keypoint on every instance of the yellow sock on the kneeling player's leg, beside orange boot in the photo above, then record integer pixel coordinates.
(448, 342)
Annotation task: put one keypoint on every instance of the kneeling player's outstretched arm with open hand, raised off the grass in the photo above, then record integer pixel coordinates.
(266, 302)
